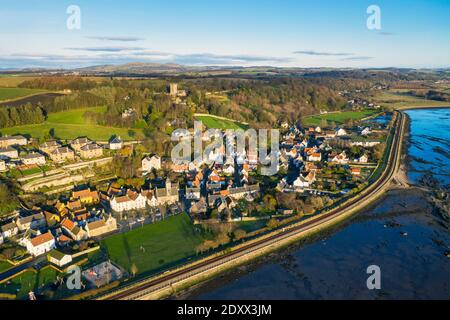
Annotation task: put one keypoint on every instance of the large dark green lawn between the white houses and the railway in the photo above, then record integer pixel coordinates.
(154, 246)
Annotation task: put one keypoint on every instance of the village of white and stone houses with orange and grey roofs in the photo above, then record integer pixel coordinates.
(85, 203)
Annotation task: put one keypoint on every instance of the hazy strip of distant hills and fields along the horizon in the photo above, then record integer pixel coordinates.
(142, 69)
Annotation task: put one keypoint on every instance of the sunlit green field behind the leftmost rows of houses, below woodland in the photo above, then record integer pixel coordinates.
(70, 125)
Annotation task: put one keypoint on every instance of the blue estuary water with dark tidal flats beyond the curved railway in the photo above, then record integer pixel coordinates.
(401, 233)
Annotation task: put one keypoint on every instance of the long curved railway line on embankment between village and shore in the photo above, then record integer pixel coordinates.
(146, 287)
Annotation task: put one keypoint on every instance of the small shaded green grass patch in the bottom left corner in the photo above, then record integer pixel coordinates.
(29, 281)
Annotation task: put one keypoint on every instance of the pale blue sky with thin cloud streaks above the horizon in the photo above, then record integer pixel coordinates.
(290, 33)
